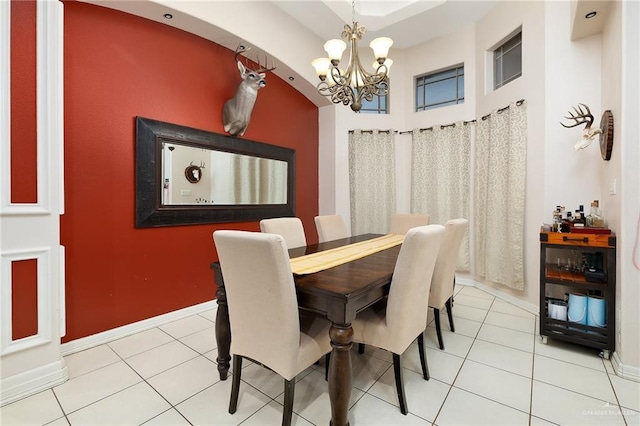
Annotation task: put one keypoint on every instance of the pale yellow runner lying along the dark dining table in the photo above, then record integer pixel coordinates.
(326, 259)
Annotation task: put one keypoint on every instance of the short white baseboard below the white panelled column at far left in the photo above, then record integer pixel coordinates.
(32, 381)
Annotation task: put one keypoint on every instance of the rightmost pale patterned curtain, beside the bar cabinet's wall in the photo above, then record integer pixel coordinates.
(499, 190)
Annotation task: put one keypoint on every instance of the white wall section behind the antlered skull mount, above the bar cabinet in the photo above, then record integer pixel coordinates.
(573, 75)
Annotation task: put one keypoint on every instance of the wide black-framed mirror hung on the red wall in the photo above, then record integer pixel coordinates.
(187, 176)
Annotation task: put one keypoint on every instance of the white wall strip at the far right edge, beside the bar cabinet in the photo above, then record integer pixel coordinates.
(620, 94)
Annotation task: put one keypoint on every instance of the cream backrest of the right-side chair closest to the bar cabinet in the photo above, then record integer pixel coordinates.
(445, 269)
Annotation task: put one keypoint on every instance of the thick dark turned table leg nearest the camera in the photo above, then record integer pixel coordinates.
(340, 373)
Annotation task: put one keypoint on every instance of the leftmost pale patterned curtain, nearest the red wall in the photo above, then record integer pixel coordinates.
(372, 180)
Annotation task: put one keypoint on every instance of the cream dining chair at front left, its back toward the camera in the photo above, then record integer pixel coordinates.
(263, 311)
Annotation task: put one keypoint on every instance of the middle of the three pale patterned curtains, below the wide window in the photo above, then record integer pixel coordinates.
(440, 176)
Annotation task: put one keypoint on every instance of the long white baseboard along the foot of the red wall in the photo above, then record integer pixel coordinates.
(136, 327)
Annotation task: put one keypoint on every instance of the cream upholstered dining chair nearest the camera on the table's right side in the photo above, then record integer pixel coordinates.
(403, 320)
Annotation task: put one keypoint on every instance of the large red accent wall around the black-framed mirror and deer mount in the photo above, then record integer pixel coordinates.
(117, 67)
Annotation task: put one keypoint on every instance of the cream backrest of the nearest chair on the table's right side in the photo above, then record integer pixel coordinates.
(406, 312)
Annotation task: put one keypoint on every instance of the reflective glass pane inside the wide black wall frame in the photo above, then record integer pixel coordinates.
(193, 175)
